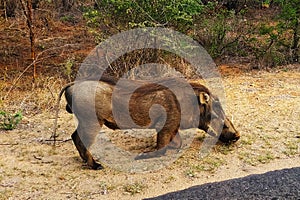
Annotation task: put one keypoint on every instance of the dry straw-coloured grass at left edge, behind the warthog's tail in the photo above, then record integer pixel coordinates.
(28, 98)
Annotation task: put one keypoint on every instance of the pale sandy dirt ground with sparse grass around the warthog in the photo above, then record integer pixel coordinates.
(264, 107)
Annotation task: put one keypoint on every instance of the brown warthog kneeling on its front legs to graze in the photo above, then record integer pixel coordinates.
(96, 103)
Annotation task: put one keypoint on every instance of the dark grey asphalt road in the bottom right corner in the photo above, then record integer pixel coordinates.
(274, 185)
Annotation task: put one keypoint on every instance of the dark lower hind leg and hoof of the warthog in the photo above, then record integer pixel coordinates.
(84, 153)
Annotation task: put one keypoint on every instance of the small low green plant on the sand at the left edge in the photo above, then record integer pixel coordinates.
(9, 121)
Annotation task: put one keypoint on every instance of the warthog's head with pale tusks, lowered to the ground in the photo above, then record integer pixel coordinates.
(213, 119)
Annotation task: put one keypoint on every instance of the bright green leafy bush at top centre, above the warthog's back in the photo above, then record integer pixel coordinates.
(123, 15)
